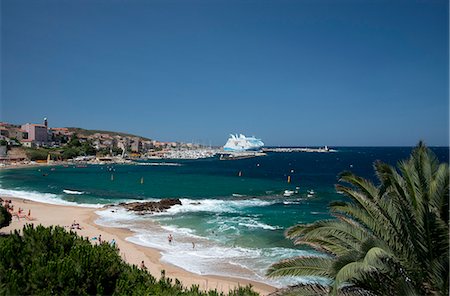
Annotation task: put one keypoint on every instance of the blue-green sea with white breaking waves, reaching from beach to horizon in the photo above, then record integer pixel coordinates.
(233, 214)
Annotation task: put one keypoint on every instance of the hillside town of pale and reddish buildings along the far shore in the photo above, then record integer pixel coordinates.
(39, 142)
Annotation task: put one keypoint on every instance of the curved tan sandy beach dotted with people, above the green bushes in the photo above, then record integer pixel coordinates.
(47, 215)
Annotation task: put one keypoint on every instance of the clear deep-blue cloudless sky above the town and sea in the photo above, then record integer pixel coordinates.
(352, 73)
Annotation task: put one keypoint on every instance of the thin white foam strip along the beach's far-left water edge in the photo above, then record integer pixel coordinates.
(48, 198)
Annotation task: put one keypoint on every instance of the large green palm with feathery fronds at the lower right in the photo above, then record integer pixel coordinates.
(390, 239)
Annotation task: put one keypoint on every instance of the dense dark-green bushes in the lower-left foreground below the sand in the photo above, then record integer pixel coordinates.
(52, 261)
